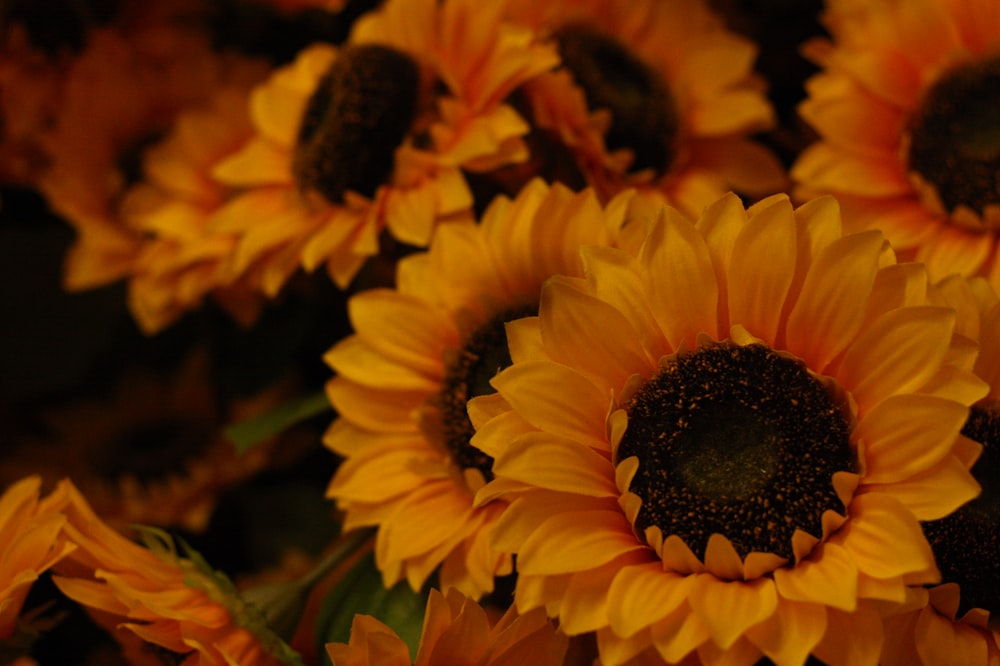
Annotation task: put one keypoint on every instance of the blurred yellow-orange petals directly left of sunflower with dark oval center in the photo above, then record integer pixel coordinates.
(180, 261)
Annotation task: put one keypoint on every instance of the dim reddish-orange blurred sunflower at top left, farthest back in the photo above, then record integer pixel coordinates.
(123, 90)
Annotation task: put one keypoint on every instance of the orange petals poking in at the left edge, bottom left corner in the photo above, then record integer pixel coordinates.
(28, 530)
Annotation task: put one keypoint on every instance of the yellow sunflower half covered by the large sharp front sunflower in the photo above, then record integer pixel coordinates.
(418, 353)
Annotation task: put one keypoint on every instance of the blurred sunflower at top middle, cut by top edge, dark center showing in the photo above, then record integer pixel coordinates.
(655, 95)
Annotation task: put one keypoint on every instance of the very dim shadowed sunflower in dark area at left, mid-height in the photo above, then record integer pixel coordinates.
(151, 452)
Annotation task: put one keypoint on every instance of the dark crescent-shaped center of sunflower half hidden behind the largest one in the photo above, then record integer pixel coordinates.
(483, 355)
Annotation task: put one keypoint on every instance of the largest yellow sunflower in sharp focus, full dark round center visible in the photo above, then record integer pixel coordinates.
(720, 446)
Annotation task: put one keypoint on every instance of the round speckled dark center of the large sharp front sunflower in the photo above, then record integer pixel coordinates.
(739, 441)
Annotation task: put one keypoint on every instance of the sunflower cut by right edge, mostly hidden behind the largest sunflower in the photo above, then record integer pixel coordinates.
(956, 622)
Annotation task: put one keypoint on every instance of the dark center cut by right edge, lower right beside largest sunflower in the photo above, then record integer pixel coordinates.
(966, 544)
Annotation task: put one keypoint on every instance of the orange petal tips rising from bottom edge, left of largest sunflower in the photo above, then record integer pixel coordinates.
(456, 630)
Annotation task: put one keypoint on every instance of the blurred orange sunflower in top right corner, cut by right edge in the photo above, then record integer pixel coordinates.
(905, 108)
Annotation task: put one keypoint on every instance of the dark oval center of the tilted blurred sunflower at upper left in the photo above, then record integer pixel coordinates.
(361, 111)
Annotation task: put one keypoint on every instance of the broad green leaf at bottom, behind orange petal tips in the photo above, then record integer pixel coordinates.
(362, 592)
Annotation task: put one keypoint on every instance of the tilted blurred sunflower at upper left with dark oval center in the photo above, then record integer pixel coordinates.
(375, 136)
